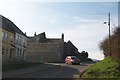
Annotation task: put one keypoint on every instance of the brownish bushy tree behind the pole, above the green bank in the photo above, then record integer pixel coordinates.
(114, 44)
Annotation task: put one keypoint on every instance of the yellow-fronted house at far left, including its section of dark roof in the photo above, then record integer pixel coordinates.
(7, 40)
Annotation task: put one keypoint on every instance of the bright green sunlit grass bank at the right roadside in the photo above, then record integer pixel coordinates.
(107, 68)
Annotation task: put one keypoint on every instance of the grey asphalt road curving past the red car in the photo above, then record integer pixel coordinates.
(60, 70)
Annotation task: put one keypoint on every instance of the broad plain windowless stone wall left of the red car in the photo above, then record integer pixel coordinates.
(46, 52)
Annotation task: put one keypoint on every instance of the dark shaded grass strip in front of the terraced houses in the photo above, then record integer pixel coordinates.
(8, 67)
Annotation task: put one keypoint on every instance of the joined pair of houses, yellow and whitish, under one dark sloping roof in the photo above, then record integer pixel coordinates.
(13, 41)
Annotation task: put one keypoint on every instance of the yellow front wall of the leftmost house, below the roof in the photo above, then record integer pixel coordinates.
(7, 55)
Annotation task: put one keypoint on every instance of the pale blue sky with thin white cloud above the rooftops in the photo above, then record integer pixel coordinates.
(81, 22)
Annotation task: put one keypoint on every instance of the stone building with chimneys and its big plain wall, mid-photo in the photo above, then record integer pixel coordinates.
(45, 49)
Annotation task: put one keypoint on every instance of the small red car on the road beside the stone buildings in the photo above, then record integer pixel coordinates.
(72, 60)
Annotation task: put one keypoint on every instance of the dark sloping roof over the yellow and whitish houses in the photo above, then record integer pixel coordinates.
(10, 26)
